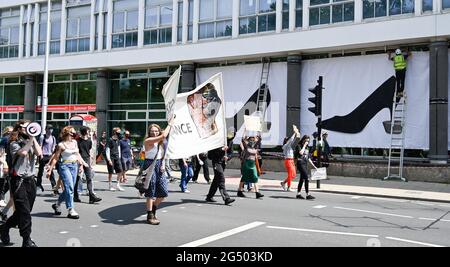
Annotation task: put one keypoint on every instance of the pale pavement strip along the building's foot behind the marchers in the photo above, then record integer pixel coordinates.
(421, 191)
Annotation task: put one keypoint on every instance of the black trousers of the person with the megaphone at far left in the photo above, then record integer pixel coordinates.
(24, 195)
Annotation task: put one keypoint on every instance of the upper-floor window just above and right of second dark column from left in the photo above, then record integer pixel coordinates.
(125, 23)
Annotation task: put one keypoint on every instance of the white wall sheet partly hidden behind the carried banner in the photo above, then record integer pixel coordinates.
(241, 84)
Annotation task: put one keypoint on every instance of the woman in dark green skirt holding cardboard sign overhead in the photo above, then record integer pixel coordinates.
(249, 171)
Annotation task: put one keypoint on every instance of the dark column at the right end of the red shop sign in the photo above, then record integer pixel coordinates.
(102, 98)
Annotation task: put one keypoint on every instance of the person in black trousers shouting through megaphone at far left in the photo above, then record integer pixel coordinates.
(24, 149)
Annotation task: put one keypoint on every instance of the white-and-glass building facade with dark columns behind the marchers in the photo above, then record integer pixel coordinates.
(111, 58)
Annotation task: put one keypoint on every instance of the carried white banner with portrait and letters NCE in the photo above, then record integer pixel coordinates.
(199, 125)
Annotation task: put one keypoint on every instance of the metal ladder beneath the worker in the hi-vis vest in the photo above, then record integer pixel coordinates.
(397, 147)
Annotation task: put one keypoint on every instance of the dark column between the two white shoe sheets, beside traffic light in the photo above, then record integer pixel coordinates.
(293, 92)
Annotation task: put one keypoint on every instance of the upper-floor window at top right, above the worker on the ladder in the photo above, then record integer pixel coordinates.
(381, 8)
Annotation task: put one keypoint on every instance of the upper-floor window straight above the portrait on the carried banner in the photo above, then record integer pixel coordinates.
(215, 18)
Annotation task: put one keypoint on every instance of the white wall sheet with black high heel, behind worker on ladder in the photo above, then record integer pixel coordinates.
(356, 102)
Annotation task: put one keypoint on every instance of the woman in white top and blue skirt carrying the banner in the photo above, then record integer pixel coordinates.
(156, 182)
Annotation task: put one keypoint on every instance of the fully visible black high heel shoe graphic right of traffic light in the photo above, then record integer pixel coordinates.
(358, 119)
